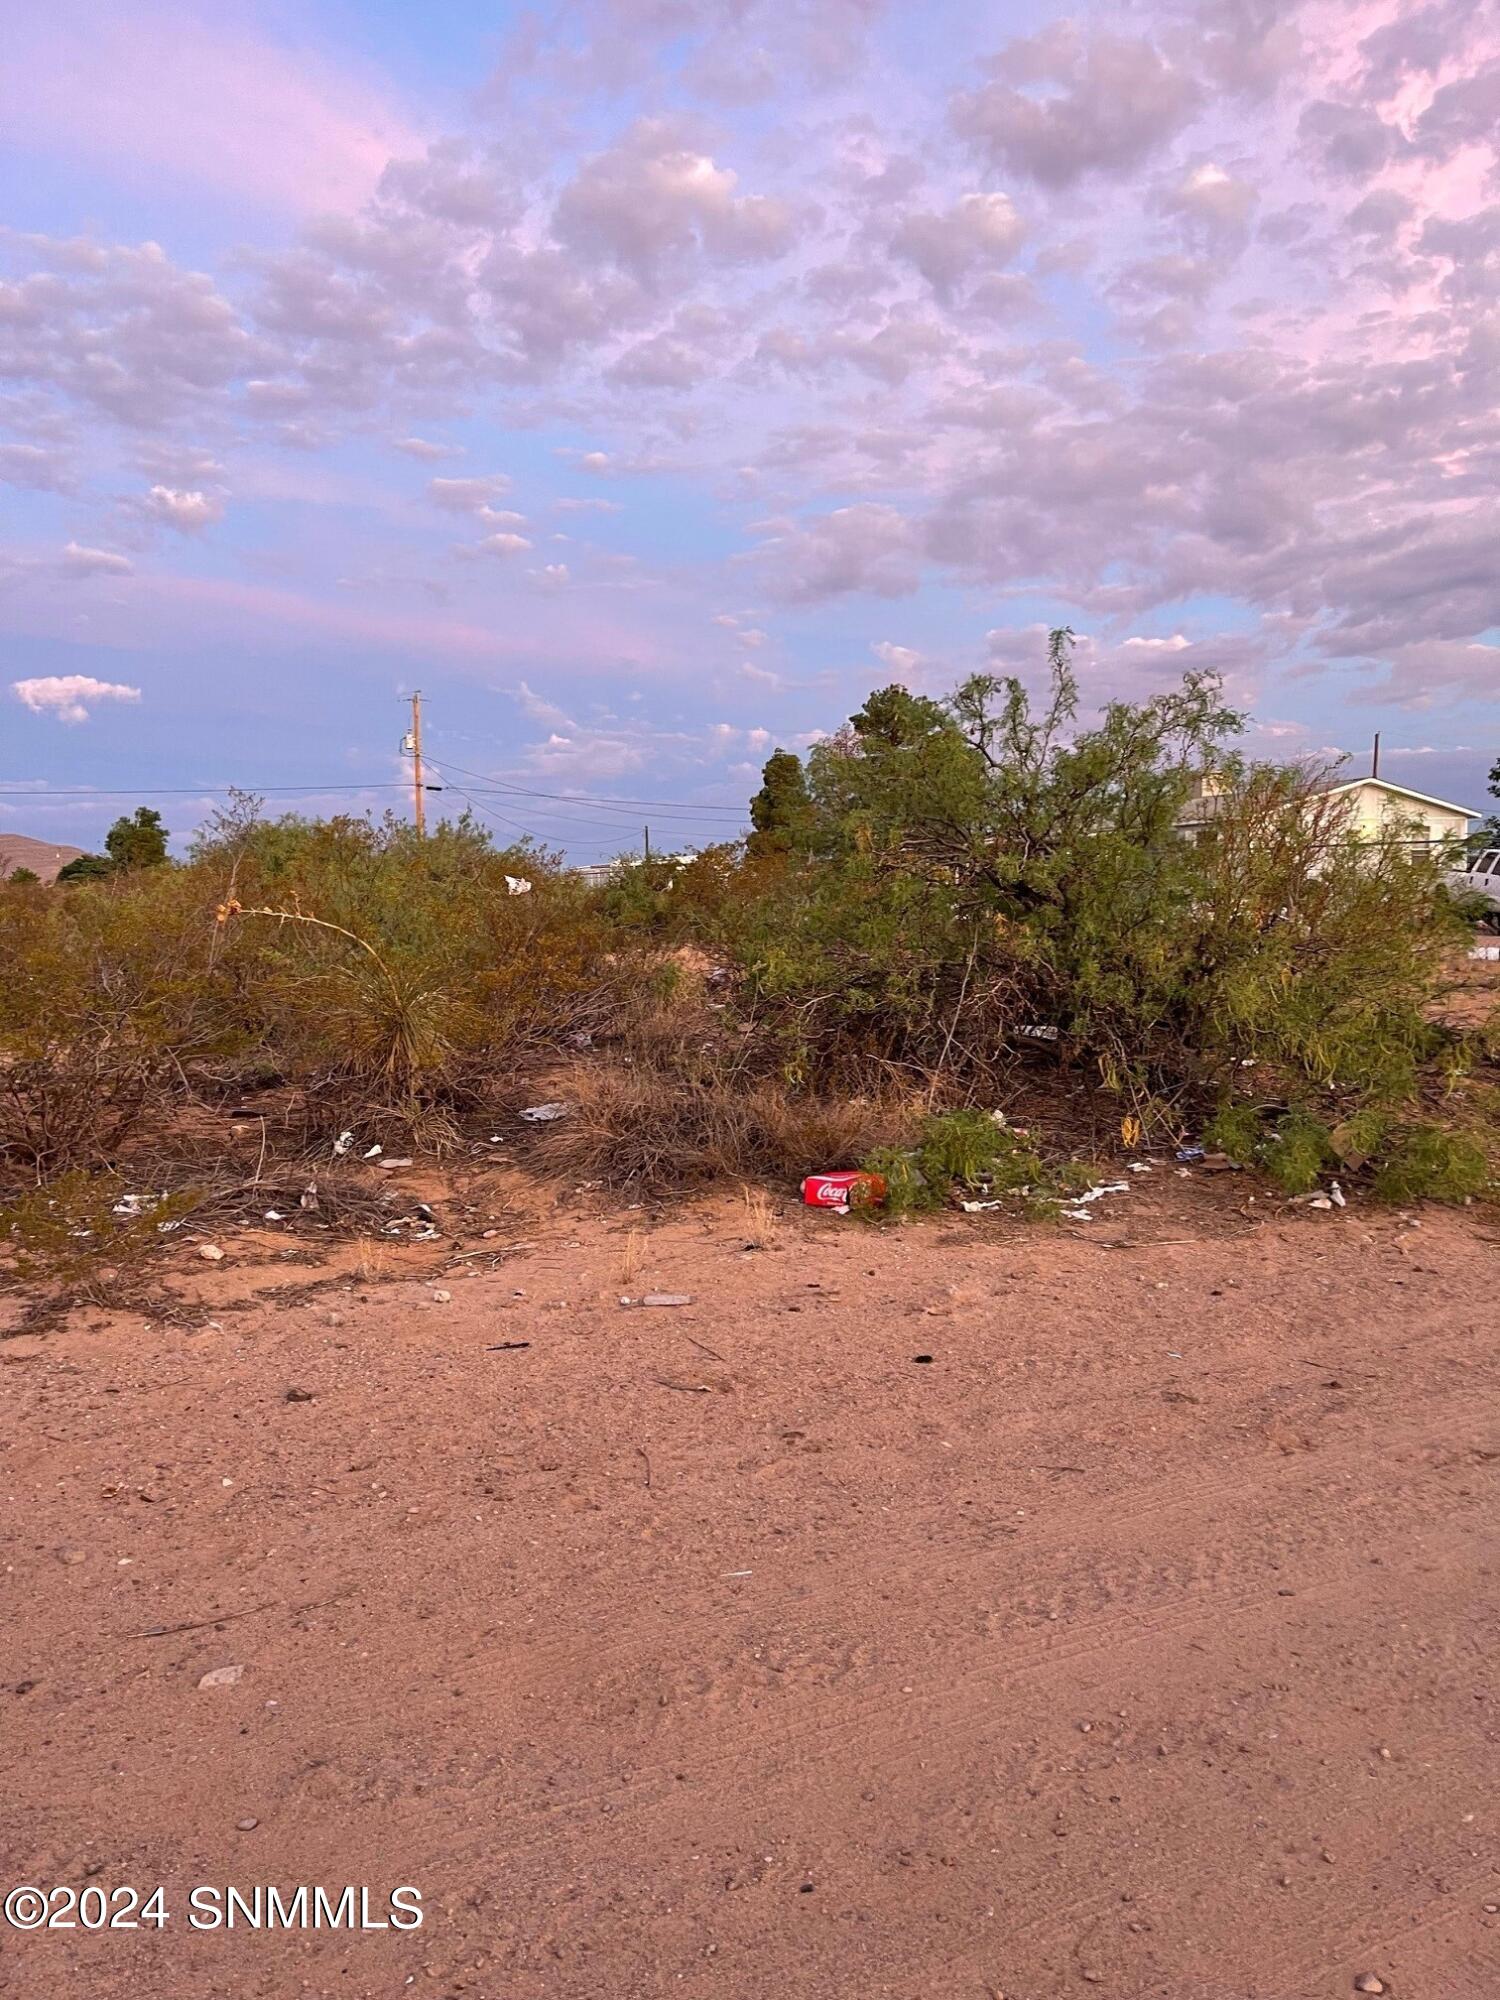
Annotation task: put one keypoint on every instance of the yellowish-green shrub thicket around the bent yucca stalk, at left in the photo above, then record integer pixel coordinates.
(381, 975)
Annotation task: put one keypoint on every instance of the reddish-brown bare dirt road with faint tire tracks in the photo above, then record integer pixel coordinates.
(969, 1609)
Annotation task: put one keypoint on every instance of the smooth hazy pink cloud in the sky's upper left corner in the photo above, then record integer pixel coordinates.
(203, 97)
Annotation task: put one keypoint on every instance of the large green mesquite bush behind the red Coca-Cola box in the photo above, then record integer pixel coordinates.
(981, 871)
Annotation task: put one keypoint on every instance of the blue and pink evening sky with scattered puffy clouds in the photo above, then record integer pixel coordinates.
(651, 379)
